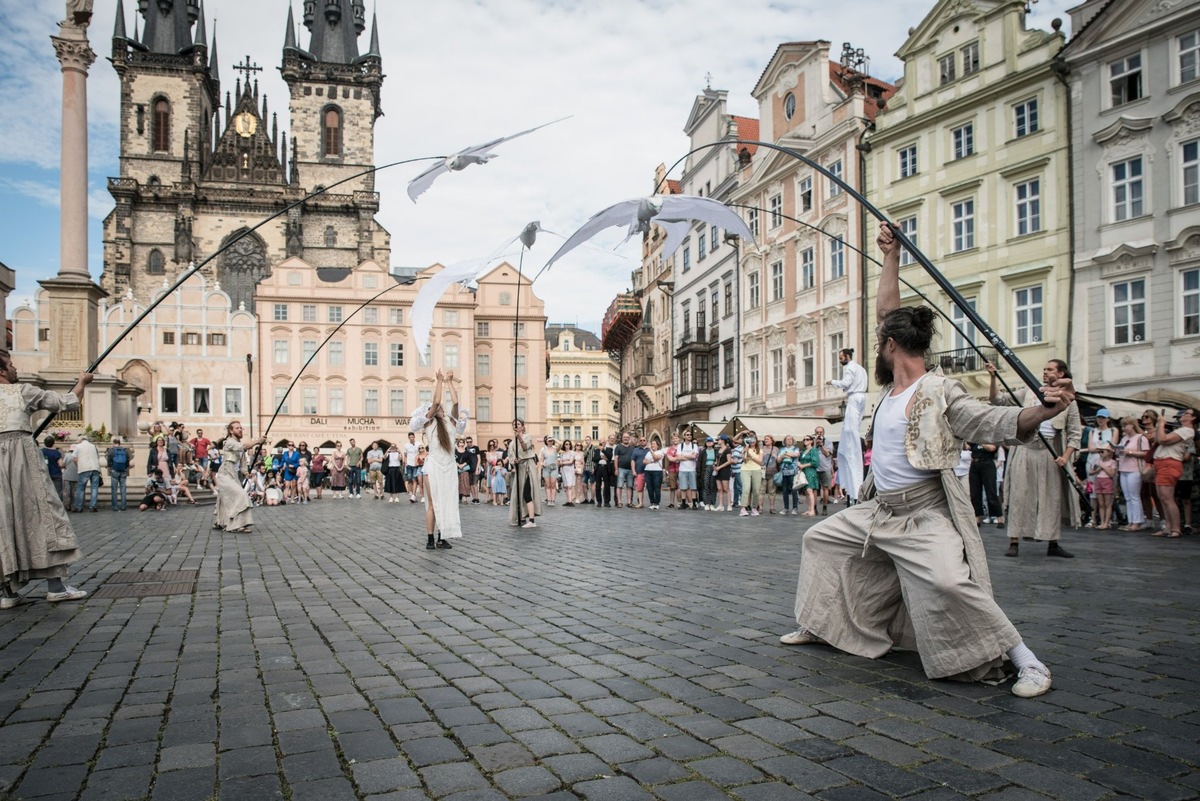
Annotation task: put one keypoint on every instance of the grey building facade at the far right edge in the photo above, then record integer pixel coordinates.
(1135, 71)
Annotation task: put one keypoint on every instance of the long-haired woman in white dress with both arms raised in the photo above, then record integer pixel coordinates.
(441, 469)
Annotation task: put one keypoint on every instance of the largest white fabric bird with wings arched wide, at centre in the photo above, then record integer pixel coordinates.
(674, 213)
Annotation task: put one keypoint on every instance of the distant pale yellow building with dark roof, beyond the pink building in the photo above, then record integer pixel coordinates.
(584, 389)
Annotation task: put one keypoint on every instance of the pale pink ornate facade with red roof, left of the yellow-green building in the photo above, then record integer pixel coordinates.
(803, 281)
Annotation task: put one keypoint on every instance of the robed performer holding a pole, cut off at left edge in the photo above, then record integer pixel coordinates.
(37, 538)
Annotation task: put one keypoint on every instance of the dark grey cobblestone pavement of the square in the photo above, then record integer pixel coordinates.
(610, 655)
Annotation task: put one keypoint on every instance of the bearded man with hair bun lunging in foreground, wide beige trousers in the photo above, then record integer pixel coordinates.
(907, 568)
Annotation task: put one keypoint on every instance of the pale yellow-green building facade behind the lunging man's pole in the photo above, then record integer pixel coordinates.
(970, 158)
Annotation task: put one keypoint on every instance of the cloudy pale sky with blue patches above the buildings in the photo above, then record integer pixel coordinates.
(460, 73)
